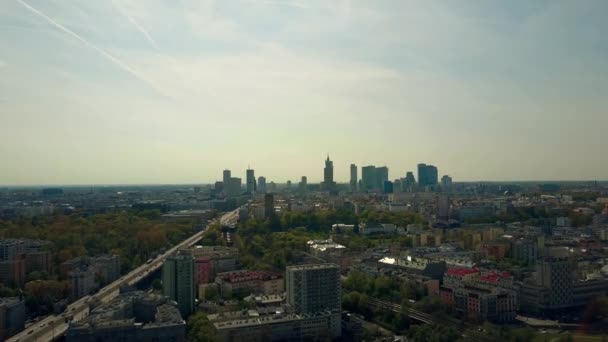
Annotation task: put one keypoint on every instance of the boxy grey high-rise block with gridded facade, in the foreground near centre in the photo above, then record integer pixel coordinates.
(314, 288)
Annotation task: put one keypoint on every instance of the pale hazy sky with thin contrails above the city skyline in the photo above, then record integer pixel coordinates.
(175, 91)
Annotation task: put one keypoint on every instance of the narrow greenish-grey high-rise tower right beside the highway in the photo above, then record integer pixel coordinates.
(178, 281)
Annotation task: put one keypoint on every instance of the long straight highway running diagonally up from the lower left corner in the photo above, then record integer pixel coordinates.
(54, 326)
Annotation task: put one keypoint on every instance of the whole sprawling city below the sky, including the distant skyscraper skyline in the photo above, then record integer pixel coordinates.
(421, 256)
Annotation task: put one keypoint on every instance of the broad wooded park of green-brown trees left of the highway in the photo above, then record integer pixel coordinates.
(134, 235)
